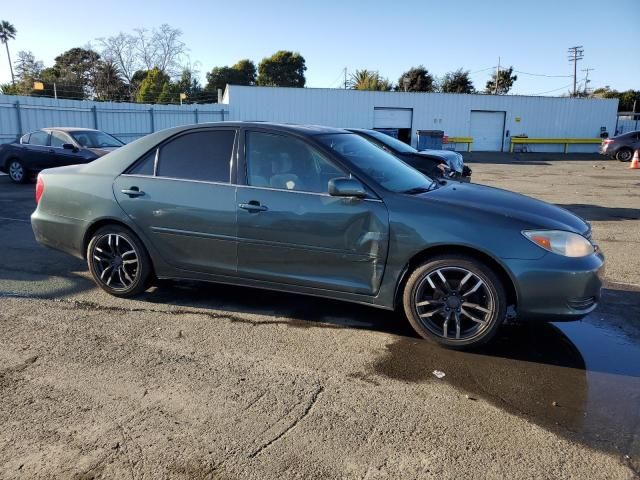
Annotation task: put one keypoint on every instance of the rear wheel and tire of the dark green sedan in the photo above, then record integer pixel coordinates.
(118, 261)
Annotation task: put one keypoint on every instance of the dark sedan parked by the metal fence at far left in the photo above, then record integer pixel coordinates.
(53, 147)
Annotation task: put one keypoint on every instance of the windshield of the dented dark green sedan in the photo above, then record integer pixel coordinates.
(389, 171)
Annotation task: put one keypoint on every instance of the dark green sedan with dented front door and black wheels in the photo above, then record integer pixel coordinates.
(319, 211)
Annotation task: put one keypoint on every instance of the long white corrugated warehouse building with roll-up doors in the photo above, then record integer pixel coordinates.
(489, 119)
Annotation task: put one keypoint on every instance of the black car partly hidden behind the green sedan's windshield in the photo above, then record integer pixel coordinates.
(426, 161)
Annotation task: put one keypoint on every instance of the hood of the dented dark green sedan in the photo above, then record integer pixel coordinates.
(529, 211)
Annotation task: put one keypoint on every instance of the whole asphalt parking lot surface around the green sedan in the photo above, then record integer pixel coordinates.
(199, 380)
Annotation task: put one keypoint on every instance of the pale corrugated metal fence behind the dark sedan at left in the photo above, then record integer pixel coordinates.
(127, 121)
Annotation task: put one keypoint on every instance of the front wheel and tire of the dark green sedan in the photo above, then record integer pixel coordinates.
(473, 300)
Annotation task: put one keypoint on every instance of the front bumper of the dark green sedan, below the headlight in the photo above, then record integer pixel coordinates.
(556, 288)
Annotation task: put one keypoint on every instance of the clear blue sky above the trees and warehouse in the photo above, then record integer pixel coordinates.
(388, 36)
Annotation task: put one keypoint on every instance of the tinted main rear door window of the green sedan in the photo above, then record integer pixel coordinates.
(203, 156)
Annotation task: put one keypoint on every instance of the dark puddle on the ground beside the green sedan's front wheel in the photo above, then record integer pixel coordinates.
(579, 379)
